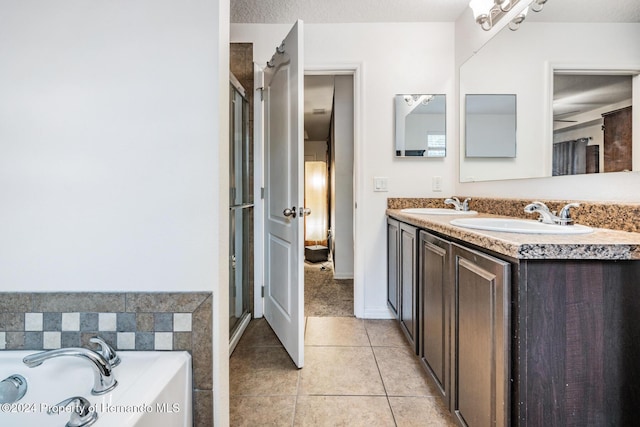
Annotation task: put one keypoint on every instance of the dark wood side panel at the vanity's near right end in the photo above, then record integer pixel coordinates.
(576, 343)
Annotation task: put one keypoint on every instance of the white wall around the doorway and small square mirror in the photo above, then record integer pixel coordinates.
(392, 59)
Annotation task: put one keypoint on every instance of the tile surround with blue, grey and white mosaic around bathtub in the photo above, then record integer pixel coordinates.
(127, 321)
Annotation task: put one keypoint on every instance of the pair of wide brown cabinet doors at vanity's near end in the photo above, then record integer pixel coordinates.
(464, 316)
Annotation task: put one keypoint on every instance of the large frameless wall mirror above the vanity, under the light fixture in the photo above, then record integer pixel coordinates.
(562, 72)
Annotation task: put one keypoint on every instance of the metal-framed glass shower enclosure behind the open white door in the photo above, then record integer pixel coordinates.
(240, 214)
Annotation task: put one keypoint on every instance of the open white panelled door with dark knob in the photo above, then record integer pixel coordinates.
(284, 235)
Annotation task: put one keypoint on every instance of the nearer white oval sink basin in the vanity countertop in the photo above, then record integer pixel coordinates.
(527, 226)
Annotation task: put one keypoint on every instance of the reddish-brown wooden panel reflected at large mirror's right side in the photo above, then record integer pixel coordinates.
(617, 140)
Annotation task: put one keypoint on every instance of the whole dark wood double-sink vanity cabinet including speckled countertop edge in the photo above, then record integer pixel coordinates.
(547, 337)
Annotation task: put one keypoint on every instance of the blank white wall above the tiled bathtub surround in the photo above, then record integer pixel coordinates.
(108, 152)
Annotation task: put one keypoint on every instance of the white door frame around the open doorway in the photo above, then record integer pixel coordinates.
(355, 70)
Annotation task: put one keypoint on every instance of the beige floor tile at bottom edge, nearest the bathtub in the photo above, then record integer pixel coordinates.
(251, 411)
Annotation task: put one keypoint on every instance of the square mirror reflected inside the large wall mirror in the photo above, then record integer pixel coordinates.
(490, 125)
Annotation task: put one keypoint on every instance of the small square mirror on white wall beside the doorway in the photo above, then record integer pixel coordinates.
(420, 125)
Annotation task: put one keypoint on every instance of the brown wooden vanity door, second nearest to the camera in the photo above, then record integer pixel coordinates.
(434, 310)
